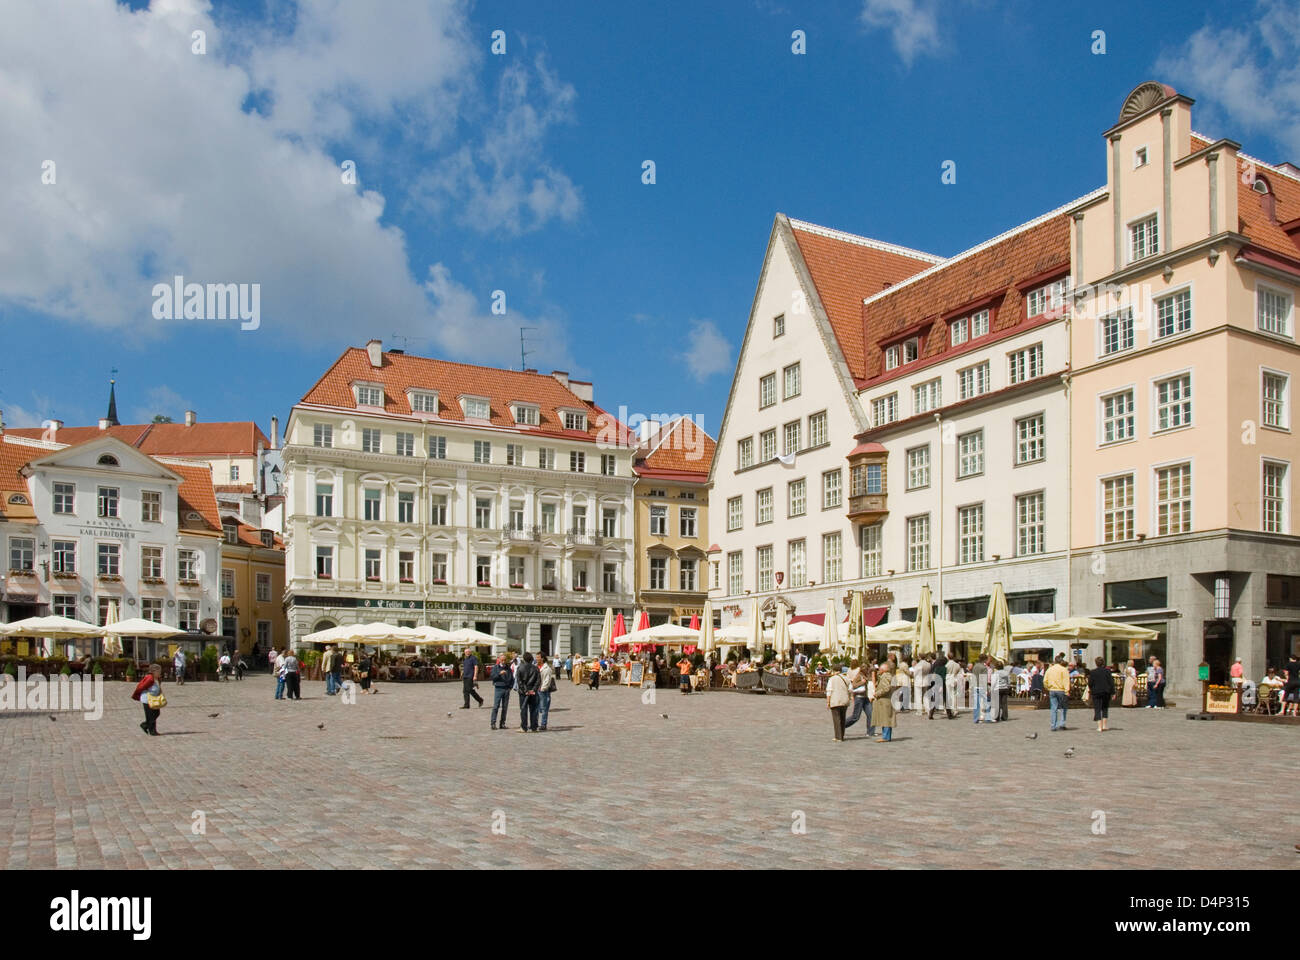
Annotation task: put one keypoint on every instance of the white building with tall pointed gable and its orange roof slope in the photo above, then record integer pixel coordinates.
(779, 520)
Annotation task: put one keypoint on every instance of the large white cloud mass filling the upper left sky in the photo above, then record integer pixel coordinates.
(162, 171)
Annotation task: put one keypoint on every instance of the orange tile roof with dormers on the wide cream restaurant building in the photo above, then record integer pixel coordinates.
(401, 373)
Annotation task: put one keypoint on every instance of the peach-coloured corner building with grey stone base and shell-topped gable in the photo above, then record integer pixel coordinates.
(1185, 356)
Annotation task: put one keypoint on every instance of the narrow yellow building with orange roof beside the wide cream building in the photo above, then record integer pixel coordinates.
(673, 522)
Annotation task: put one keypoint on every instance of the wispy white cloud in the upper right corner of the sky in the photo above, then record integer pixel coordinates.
(1246, 80)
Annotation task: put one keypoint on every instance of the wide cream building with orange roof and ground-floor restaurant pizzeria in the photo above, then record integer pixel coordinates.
(422, 491)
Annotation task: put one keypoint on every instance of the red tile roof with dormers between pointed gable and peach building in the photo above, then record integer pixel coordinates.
(989, 273)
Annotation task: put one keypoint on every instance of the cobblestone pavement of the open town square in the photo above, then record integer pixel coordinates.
(393, 781)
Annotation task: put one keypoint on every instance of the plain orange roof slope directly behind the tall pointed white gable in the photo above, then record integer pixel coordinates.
(846, 271)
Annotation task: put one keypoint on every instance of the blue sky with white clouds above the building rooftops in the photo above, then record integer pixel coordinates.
(523, 172)
